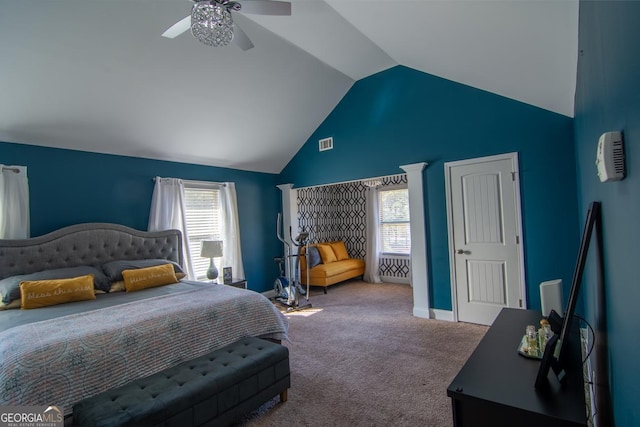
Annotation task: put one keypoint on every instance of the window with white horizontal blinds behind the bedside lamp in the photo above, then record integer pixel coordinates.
(204, 222)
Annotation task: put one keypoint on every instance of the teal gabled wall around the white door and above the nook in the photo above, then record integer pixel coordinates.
(402, 116)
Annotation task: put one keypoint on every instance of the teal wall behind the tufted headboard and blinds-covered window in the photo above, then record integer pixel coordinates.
(68, 187)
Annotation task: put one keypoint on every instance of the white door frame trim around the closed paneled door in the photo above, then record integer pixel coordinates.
(513, 157)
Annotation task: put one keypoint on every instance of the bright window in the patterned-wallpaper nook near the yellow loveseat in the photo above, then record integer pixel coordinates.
(393, 205)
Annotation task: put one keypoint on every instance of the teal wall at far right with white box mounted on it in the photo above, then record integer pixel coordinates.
(608, 99)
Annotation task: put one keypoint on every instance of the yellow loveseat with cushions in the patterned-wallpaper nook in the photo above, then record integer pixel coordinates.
(330, 266)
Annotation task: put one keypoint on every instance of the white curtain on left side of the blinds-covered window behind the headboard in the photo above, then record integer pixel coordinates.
(168, 213)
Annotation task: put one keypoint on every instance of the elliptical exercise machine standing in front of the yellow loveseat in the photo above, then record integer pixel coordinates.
(288, 288)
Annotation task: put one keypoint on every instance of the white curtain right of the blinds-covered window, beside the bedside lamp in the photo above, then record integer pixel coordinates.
(232, 251)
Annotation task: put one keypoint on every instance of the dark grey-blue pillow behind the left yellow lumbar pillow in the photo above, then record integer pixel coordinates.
(10, 286)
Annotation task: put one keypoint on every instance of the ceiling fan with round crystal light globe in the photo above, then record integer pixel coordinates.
(212, 24)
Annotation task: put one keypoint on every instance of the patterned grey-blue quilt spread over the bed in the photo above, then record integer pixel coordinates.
(63, 360)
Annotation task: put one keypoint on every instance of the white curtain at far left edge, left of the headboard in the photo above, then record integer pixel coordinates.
(14, 202)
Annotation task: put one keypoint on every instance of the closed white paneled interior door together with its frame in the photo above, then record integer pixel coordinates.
(483, 202)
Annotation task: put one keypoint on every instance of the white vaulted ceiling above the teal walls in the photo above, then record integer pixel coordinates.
(96, 75)
